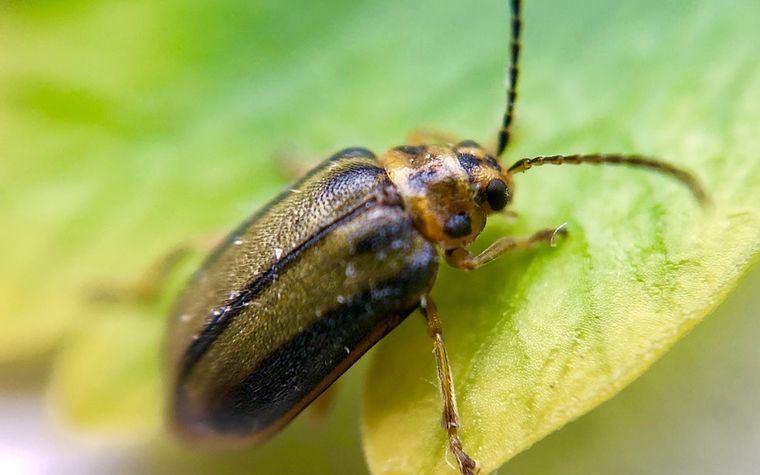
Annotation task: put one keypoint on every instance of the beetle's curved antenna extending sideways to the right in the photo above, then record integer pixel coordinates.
(615, 159)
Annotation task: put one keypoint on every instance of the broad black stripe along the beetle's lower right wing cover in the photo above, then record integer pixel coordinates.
(295, 368)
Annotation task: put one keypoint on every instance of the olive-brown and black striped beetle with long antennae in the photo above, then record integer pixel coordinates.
(305, 286)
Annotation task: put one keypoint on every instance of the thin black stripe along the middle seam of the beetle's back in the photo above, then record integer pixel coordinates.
(222, 316)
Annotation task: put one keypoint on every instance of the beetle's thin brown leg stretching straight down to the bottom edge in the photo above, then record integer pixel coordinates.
(450, 417)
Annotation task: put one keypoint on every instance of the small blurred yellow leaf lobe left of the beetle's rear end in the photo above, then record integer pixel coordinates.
(123, 380)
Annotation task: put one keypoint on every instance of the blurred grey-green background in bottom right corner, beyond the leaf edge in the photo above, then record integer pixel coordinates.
(693, 412)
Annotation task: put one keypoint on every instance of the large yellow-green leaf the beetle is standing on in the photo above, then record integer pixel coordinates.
(127, 128)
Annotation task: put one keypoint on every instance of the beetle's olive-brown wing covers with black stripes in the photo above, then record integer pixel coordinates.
(260, 351)
